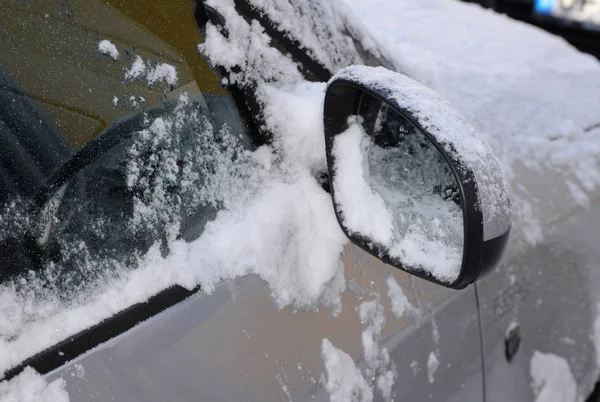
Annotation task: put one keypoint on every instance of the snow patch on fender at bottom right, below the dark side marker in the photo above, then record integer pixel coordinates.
(552, 379)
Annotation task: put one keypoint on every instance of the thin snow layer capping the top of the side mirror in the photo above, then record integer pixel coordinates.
(452, 131)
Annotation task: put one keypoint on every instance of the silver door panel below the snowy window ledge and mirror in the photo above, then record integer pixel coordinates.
(235, 344)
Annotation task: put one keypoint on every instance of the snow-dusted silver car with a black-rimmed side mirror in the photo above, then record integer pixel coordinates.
(148, 255)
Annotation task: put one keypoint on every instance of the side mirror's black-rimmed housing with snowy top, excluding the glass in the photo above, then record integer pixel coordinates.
(484, 195)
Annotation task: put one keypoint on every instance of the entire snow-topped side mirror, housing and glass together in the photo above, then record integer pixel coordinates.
(412, 182)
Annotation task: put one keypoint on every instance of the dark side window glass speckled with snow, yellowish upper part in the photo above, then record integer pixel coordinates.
(115, 135)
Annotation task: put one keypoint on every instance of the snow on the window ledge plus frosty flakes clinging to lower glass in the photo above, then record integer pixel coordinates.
(270, 210)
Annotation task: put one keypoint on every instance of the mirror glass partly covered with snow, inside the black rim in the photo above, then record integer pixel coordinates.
(396, 191)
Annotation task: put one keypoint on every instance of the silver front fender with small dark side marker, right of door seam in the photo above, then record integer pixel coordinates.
(540, 308)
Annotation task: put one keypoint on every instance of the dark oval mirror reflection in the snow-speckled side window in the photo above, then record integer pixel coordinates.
(163, 176)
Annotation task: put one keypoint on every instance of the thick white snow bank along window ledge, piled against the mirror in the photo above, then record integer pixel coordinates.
(276, 222)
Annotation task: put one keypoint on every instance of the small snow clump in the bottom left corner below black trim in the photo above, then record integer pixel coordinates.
(29, 386)
